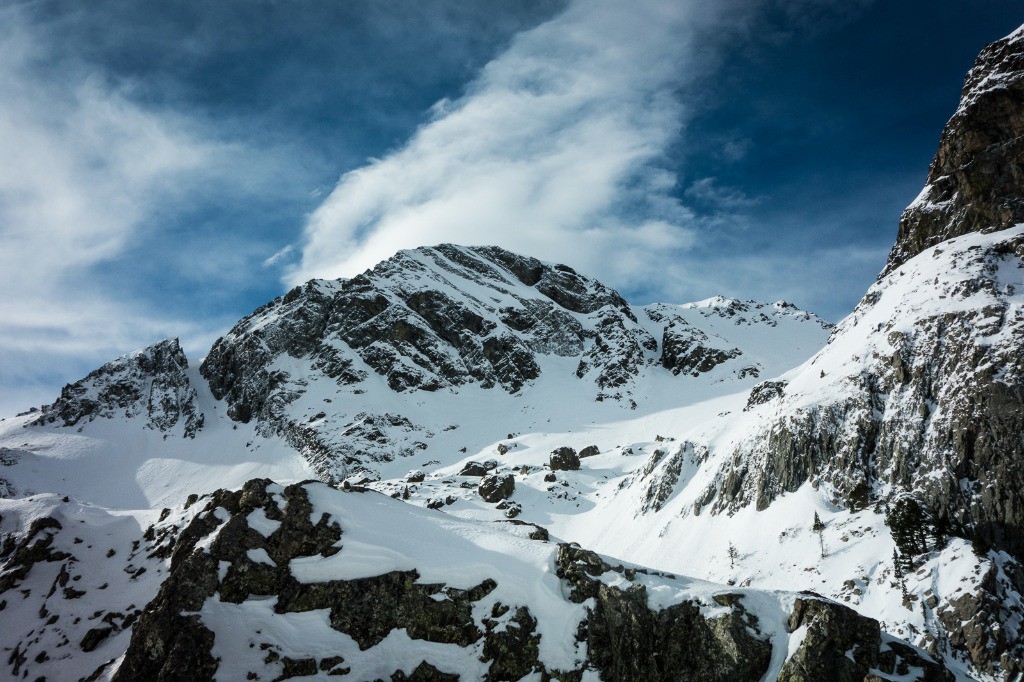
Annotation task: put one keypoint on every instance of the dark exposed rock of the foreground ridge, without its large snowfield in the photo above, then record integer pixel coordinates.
(247, 546)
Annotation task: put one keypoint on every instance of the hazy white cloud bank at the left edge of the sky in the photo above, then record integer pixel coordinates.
(83, 167)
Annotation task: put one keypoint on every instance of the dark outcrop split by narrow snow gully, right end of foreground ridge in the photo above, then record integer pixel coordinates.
(628, 640)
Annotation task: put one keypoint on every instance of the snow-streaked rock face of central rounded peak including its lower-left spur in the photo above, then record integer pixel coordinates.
(413, 322)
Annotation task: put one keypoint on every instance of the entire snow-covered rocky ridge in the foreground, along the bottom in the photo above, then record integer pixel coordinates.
(274, 583)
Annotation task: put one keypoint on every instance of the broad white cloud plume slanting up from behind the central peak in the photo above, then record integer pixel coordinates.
(552, 151)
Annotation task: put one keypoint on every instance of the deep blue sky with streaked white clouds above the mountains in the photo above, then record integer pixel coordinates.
(168, 167)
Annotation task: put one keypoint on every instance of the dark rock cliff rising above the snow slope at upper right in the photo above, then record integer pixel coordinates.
(975, 183)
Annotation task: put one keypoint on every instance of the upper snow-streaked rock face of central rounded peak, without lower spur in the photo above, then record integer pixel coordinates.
(410, 321)
